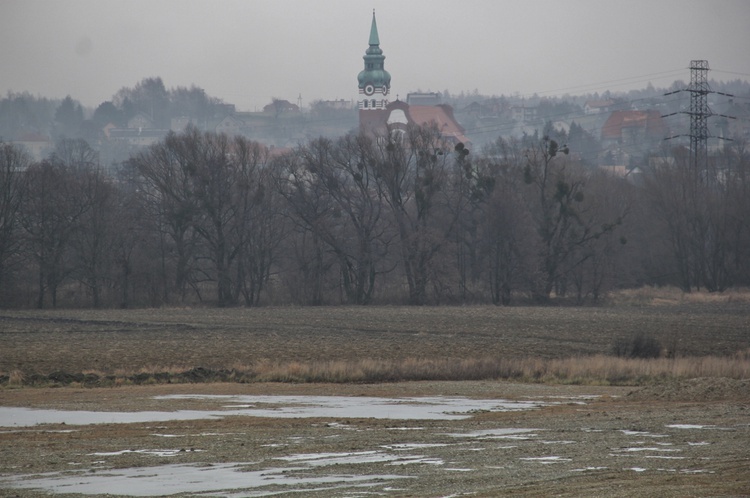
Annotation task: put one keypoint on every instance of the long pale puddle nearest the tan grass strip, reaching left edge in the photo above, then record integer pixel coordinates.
(426, 408)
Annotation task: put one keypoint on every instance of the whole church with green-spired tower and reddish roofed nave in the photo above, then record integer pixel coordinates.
(378, 116)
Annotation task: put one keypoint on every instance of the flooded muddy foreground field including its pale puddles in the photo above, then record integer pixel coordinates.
(369, 441)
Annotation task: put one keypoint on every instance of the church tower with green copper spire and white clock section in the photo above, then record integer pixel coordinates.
(374, 80)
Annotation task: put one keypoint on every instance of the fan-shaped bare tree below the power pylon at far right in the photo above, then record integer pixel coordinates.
(703, 210)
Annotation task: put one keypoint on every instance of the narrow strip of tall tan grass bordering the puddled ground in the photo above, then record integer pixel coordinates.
(593, 370)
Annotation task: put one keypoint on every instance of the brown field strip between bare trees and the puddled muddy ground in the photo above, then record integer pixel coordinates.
(704, 335)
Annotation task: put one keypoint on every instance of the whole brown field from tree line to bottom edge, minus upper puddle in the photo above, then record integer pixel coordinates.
(671, 426)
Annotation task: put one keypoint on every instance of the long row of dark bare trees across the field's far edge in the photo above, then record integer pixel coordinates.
(405, 218)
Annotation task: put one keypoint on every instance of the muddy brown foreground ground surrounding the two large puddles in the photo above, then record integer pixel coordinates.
(682, 439)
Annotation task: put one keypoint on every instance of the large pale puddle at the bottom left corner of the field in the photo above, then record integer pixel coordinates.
(217, 479)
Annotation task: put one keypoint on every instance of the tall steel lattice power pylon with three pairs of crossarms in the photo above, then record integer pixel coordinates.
(699, 113)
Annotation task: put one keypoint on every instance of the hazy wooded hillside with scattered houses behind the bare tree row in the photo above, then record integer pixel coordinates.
(610, 129)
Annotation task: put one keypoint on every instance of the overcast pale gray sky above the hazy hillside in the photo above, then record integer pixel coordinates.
(248, 51)
